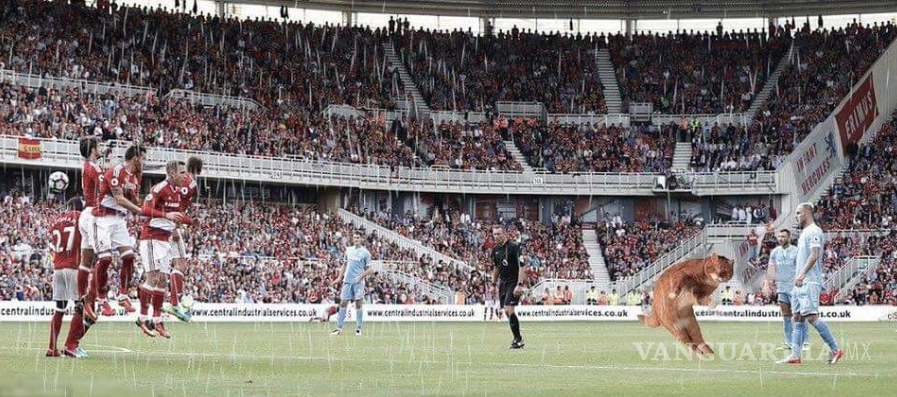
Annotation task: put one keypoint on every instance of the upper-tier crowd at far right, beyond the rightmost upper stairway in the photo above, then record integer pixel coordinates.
(824, 67)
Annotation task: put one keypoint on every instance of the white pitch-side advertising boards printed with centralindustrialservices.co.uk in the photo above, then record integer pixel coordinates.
(227, 312)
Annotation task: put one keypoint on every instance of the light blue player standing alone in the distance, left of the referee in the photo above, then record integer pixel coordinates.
(353, 274)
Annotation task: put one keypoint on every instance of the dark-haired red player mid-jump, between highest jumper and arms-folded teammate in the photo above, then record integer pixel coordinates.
(119, 188)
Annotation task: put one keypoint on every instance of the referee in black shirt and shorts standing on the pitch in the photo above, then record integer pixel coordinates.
(506, 258)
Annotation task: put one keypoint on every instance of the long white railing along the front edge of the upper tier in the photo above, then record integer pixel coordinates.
(65, 154)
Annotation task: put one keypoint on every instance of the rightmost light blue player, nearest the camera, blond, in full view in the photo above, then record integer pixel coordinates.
(808, 286)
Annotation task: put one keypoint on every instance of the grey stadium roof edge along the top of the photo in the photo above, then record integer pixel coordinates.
(606, 9)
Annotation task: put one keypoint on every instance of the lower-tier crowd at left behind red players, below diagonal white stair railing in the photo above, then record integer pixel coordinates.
(239, 253)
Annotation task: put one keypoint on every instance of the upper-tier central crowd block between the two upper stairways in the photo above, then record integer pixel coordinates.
(462, 71)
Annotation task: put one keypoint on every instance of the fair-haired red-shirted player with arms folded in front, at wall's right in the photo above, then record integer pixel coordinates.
(162, 210)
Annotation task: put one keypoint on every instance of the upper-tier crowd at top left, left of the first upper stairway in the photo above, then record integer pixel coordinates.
(277, 63)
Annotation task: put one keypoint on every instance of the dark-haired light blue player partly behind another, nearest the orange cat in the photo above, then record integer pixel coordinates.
(780, 276)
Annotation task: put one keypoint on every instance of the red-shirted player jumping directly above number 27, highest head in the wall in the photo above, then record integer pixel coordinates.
(90, 187)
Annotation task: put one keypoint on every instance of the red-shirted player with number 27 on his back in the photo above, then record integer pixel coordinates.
(66, 242)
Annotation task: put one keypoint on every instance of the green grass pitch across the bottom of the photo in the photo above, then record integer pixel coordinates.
(410, 359)
